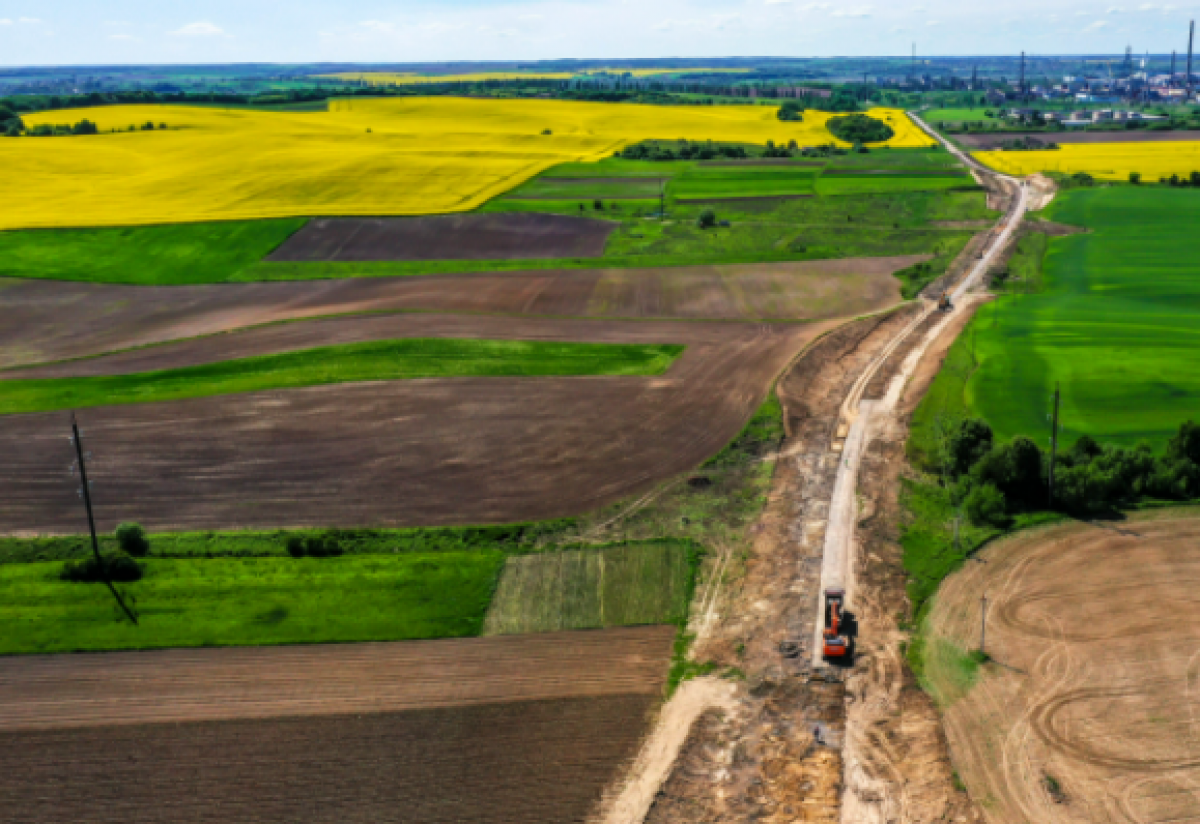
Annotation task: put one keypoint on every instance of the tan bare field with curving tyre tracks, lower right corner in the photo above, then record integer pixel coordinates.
(1090, 711)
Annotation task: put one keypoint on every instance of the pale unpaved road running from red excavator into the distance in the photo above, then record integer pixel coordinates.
(859, 416)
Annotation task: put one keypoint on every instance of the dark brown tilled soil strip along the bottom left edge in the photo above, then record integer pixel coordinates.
(514, 763)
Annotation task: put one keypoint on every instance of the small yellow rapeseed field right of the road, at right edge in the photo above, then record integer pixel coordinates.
(1105, 161)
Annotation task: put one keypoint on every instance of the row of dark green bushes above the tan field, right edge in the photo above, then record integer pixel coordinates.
(995, 483)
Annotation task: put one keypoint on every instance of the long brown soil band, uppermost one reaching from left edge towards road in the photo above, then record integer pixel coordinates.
(51, 321)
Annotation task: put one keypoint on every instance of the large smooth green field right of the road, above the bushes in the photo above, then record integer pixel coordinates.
(1117, 326)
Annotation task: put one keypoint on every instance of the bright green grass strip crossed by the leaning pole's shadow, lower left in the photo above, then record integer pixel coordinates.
(250, 602)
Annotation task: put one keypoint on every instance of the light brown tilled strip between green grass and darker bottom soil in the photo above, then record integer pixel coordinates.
(188, 685)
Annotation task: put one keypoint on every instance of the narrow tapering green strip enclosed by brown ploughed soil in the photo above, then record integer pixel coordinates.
(376, 360)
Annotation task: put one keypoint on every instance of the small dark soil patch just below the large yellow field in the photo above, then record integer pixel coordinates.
(448, 238)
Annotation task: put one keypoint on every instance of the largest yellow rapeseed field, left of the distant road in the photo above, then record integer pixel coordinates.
(399, 157)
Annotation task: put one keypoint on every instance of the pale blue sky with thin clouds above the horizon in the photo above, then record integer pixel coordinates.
(111, 32)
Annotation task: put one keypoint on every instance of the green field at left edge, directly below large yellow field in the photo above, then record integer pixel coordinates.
(178, 254)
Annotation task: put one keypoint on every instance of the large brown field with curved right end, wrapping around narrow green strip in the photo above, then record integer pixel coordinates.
(406, 453)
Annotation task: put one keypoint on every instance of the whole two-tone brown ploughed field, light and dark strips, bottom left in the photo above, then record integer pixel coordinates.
(500, 731)
